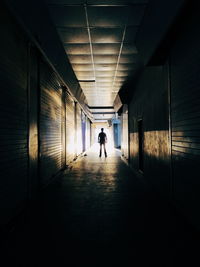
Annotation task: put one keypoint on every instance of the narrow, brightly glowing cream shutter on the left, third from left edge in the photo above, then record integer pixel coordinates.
(70, 129)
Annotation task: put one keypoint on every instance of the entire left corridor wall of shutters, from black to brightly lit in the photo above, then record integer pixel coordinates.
(37, 117)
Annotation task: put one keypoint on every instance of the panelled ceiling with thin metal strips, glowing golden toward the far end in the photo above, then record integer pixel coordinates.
(99, 39)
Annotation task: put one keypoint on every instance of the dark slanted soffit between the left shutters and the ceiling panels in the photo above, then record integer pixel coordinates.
(34, 17)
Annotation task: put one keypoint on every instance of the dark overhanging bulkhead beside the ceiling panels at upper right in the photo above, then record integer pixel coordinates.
(159, 17)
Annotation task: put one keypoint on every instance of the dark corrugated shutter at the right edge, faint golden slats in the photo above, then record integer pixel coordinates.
(185, 115)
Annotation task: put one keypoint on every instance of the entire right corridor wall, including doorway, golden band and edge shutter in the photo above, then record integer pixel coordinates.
(164, 117)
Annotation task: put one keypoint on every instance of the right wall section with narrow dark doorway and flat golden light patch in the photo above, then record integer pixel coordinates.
(148, 111)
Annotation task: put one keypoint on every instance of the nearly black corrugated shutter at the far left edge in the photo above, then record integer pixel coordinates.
(13, 119)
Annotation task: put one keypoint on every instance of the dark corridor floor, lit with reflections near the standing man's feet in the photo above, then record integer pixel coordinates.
(99, 214)
